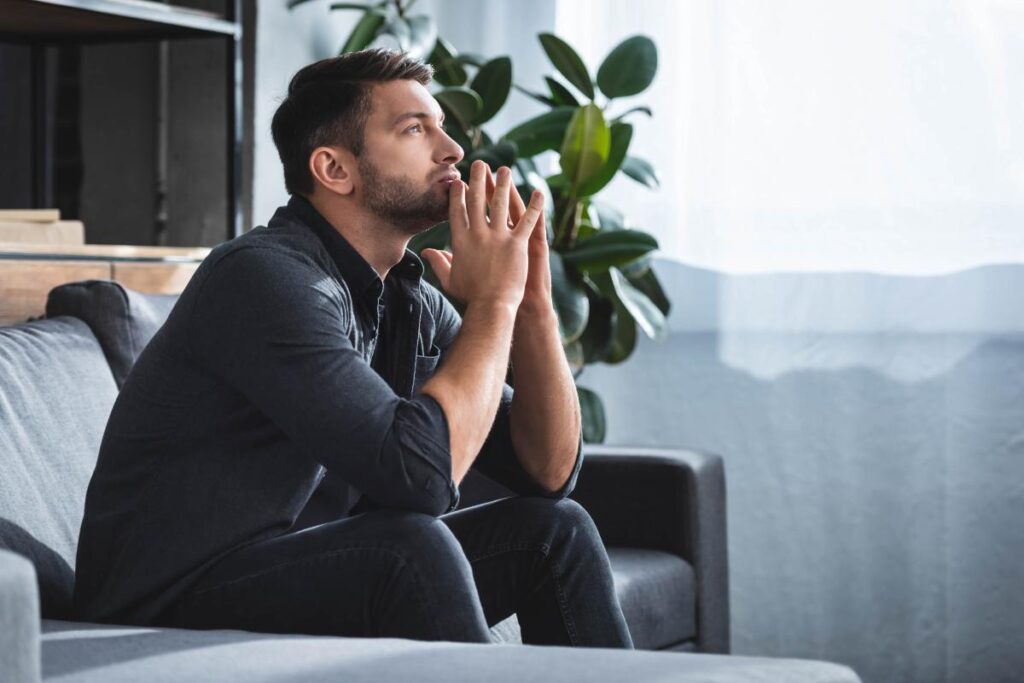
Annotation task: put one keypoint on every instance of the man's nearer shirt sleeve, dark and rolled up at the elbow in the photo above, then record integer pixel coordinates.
(275, 328)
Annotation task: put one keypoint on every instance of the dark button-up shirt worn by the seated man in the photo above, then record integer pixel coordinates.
(282, 392)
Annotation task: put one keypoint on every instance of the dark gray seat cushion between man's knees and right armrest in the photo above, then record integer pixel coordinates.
(657, 593)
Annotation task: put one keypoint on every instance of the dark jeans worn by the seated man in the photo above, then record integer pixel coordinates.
(407, 575)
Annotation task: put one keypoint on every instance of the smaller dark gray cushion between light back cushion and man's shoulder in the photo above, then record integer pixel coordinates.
(124, 321)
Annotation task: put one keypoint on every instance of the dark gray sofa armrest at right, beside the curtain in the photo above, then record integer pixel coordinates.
(671, 500)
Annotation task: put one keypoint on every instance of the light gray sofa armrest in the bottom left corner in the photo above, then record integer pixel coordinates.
(20, 641)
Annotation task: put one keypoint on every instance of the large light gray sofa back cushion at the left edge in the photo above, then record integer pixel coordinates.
(57, 393)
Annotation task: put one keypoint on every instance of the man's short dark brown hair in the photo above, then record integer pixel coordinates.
(329, 103)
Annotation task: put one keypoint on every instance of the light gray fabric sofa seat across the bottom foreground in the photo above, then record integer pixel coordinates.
(77, 654)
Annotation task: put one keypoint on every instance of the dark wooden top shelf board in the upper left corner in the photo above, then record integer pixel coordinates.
(105, 21)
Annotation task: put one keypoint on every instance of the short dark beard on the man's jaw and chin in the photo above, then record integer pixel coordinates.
(396, 200)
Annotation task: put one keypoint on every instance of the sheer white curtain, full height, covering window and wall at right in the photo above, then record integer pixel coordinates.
(842, 230)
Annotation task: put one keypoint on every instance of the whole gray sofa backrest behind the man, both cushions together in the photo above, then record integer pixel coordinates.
(59, 379)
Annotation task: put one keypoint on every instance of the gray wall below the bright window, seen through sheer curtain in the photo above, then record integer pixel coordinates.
(873, 431)
